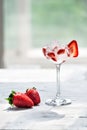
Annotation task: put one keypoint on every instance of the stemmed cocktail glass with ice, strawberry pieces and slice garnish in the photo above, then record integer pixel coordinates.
(58, 54)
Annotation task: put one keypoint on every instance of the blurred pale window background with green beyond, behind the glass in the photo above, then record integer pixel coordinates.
(27, 25)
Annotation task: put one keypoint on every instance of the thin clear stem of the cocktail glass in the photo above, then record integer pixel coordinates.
(58, 80)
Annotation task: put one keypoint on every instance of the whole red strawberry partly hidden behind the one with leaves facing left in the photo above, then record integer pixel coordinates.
(34, 95)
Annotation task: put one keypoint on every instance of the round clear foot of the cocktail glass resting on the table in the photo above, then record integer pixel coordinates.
(58, 102)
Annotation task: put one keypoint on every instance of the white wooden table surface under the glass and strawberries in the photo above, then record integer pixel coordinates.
(43, 117)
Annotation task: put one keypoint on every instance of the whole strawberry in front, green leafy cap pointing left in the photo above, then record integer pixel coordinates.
(20, 100)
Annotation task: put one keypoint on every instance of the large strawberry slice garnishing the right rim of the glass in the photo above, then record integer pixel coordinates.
(73, 48)
